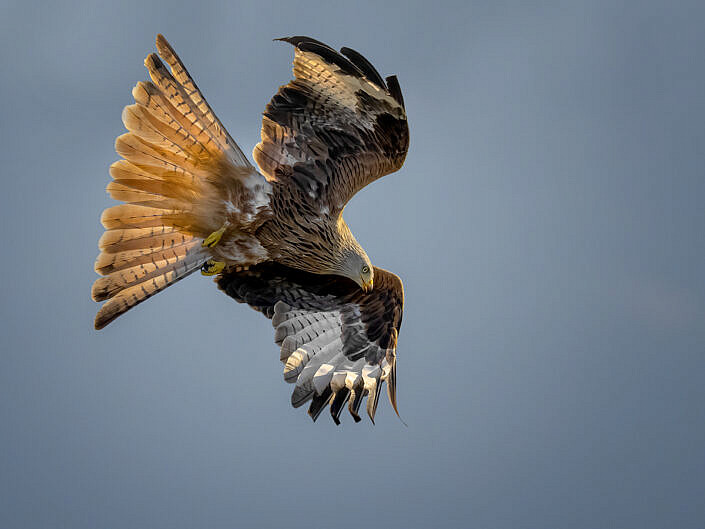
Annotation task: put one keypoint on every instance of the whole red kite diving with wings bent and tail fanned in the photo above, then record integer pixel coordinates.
(275, 237)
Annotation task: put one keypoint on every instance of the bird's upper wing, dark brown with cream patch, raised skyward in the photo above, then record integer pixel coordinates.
(333, 129)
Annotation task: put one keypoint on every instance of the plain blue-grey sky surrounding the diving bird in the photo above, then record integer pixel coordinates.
(548, 226)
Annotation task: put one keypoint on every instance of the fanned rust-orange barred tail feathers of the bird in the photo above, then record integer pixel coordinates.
(172, 154)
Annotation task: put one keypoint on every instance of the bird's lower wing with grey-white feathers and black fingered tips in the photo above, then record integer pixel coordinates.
(338, 344)
